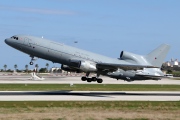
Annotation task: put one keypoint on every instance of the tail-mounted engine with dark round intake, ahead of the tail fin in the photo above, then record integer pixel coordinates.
(133, 58)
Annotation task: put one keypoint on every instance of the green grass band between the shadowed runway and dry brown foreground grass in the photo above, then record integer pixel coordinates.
(134, 105)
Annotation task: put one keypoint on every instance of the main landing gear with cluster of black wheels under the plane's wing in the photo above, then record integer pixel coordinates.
(93, 79)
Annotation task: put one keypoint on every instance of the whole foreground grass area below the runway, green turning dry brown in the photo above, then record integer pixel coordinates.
(89, 110)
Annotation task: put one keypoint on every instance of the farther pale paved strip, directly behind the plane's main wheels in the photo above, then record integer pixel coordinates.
(24, 79)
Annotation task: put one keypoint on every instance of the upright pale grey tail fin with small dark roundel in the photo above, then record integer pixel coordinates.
(157, 56)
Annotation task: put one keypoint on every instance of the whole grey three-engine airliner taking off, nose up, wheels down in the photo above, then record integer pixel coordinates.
(128, 66)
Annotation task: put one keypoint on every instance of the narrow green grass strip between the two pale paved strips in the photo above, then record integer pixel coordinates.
(87, 87)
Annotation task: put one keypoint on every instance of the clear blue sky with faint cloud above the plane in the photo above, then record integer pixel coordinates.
(102, 26)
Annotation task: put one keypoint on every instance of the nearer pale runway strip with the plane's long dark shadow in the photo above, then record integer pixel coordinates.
(88, 96)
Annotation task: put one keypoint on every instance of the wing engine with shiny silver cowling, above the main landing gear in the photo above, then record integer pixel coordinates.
(85, 66)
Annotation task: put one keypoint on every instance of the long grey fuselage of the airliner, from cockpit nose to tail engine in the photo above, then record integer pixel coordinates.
(56, 52)
